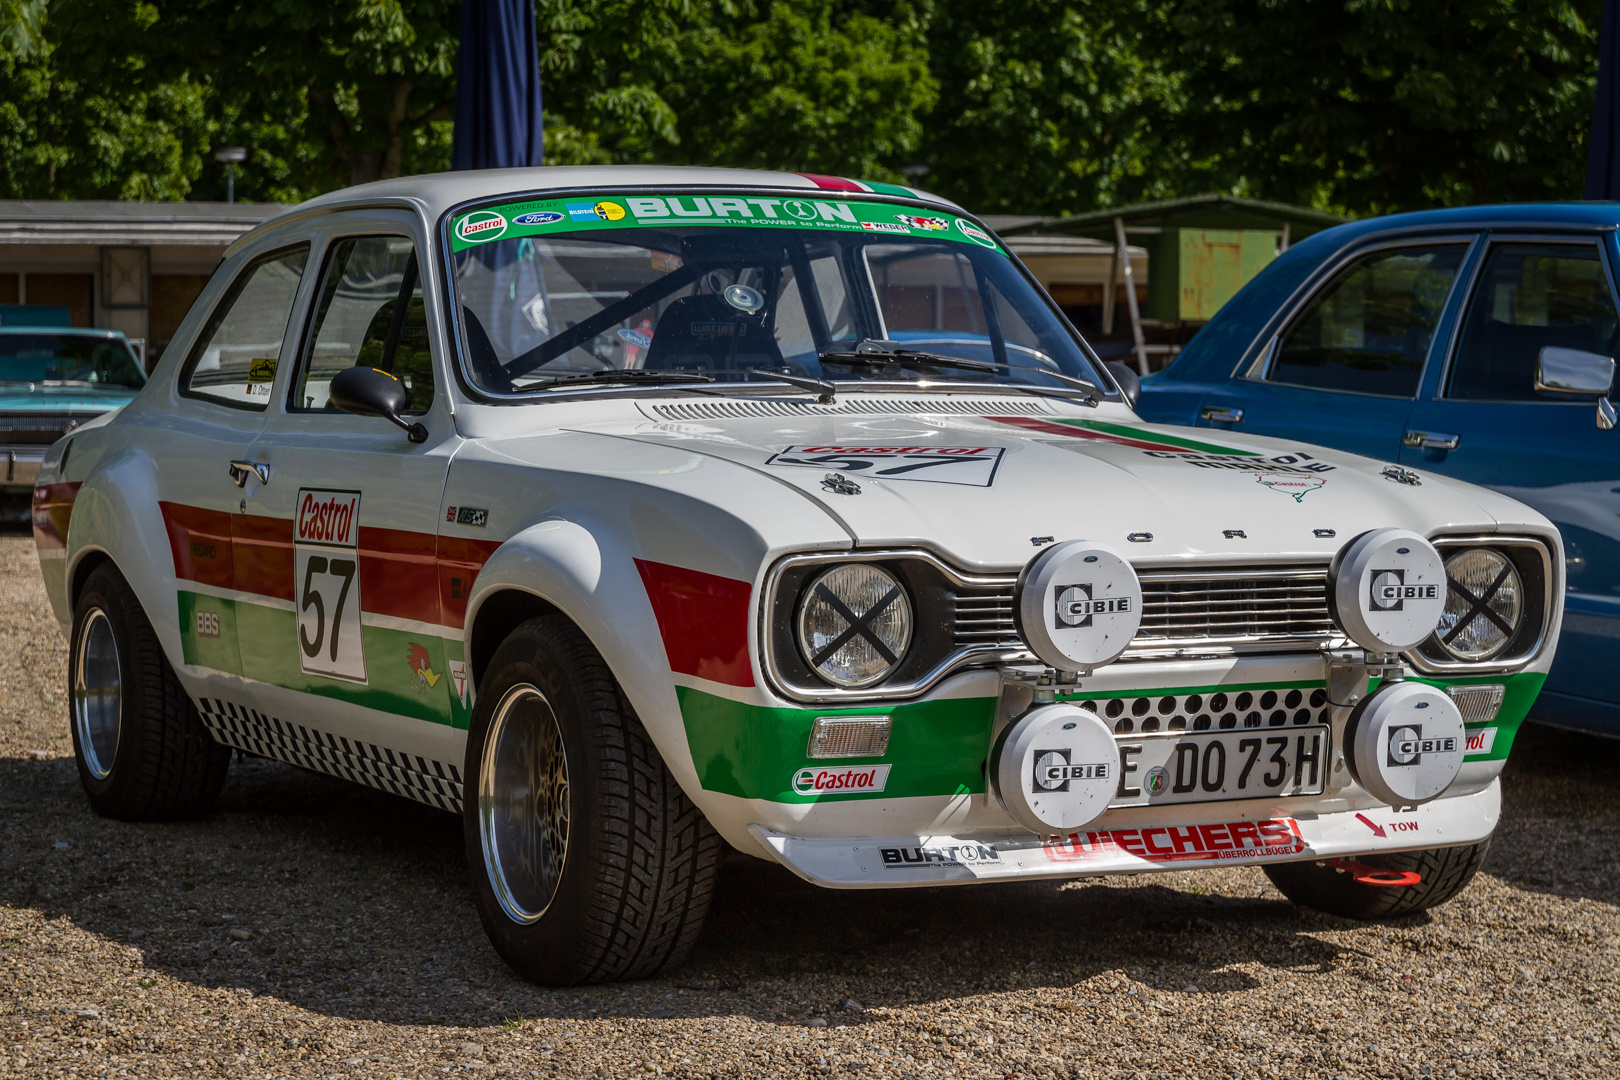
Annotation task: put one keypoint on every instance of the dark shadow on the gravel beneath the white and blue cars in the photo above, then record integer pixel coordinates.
(357, 904)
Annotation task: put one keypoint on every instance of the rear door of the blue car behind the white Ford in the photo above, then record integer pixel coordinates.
(1347, 365)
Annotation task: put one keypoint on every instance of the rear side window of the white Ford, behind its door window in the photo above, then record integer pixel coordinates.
(239, 351)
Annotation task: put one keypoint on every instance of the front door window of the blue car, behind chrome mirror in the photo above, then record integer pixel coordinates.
(1532, 297)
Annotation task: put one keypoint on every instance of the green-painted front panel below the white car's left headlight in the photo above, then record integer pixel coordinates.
(754, 752)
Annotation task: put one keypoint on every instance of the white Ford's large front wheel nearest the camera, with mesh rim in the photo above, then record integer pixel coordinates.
(639, 859)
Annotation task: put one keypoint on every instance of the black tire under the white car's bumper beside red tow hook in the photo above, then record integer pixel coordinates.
(1446, 872)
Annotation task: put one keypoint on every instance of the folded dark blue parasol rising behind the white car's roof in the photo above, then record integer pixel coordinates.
(498, 122)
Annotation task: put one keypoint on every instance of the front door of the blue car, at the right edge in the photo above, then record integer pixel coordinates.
(1486, 422)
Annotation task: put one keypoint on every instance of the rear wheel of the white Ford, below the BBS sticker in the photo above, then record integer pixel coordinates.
(161, 763)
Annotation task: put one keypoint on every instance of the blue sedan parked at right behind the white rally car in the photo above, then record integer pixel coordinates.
(1470, 342)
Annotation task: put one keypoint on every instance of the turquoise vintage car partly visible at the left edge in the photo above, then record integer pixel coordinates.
(53, 380)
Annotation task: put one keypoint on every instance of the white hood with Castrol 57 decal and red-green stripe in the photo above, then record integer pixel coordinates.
(986, 487)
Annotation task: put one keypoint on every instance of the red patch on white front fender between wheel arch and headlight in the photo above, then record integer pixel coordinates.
(704, 621)
